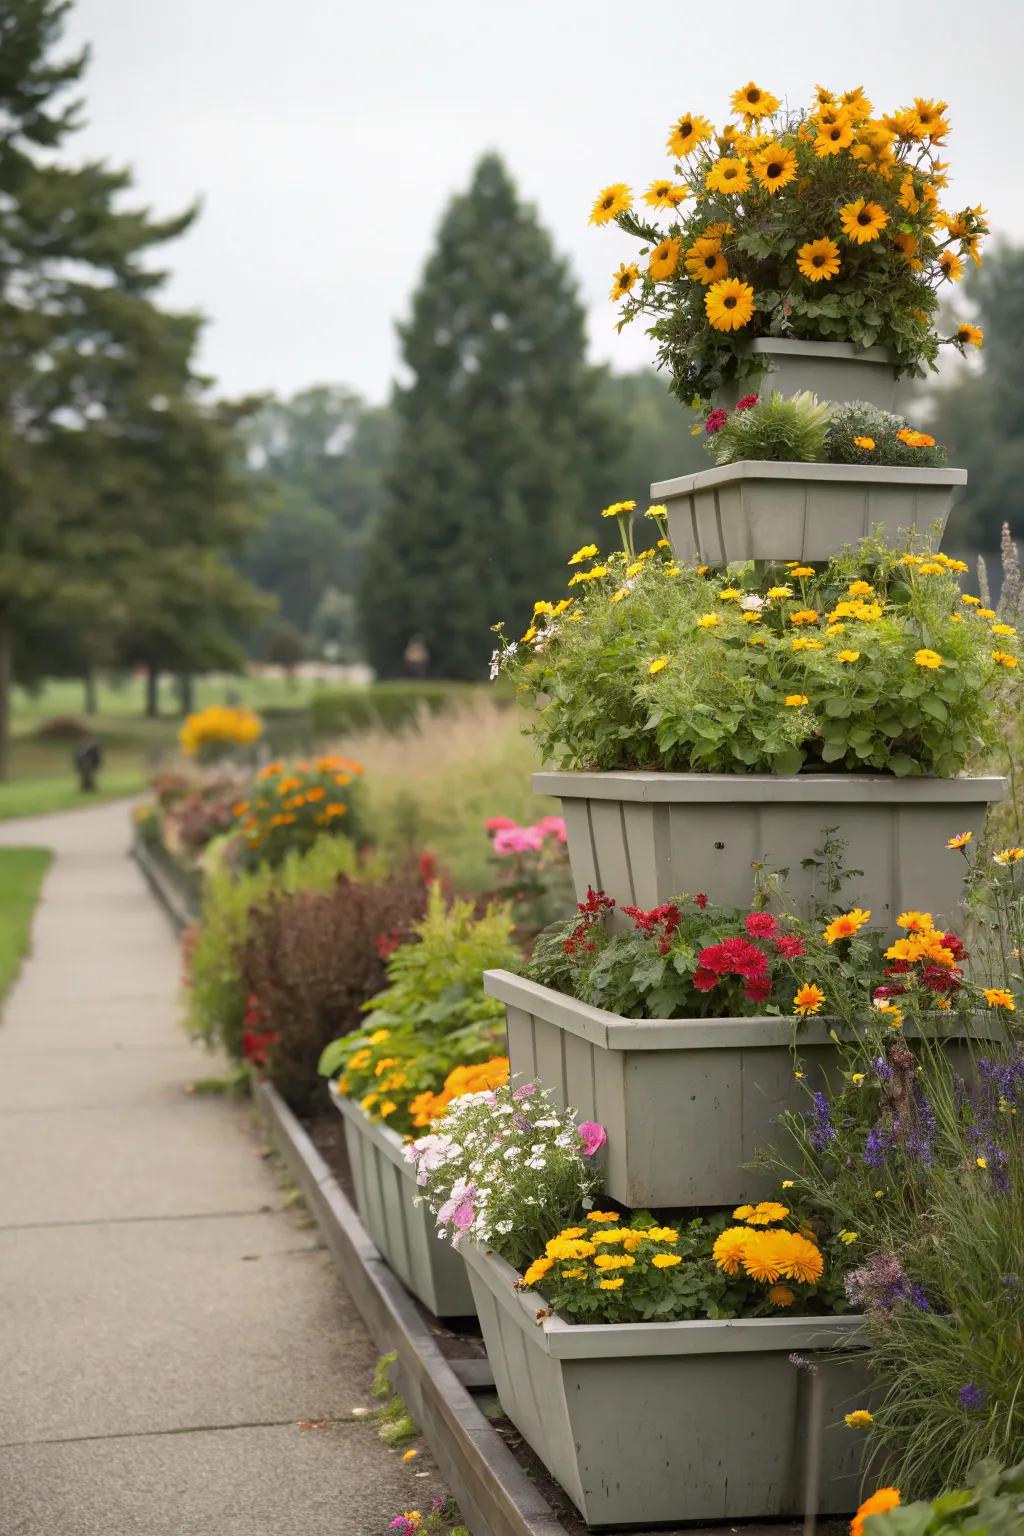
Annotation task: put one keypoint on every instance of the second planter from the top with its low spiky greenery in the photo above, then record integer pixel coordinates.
(796, 477)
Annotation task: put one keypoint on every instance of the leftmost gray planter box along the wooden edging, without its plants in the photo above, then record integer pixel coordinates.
(406, 1234)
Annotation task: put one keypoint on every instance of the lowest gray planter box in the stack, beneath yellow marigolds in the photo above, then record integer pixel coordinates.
(649, 1423)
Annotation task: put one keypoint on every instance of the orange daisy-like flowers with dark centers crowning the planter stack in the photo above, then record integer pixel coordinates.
(853, 180)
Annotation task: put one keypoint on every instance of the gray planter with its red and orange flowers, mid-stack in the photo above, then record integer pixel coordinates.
(692, 1033)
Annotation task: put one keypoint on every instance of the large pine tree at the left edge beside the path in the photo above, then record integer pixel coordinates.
(110, 462)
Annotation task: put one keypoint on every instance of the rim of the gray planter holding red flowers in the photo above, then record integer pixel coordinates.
(616, 1033)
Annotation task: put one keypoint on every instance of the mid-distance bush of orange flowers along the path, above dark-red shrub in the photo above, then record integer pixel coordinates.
(294, 803)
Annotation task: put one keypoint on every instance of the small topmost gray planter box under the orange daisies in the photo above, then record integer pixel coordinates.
(830, 369)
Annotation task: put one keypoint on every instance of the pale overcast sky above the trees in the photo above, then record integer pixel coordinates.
(325, 137)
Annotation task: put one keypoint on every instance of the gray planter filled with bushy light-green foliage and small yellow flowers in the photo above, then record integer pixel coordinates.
(705, 723)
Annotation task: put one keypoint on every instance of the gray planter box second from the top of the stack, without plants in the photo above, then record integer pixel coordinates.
(756, 511)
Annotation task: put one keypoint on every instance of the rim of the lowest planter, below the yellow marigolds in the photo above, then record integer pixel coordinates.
(623, 1340)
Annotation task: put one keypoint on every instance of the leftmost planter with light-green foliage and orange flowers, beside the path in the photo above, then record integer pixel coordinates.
(434, 1034)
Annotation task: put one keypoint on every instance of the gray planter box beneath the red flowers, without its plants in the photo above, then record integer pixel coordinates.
(687, 1102)
